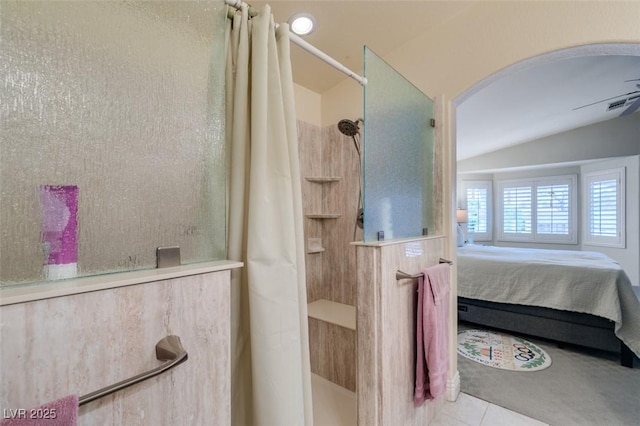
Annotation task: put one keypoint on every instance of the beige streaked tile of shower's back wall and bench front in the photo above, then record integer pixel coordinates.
(331, 274)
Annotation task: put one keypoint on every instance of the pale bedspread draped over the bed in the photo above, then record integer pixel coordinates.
(578, 281)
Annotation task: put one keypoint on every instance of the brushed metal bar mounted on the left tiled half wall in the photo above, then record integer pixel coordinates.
(168, 349)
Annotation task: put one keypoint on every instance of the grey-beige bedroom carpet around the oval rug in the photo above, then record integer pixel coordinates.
(581, 387)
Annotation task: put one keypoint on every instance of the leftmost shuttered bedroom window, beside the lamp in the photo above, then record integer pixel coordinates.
(477, 198)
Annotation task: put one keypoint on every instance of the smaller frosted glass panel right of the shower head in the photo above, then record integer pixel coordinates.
(398, 154)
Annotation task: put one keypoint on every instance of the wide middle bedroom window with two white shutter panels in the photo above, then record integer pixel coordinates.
(538, 210)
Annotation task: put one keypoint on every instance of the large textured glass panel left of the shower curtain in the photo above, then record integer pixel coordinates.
(112, 145)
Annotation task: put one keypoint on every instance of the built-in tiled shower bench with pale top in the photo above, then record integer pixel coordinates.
(332, 341)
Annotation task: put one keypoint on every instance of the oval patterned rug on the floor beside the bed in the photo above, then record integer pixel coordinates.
(502, 351)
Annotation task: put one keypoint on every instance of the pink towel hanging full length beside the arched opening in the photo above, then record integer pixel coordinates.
(432, 343)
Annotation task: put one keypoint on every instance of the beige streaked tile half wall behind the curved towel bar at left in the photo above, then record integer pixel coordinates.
(78, 344)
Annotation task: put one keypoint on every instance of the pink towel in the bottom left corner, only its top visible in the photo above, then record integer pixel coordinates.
(62, 412)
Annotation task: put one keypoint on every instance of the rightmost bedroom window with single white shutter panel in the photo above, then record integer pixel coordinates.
(605, 206)
